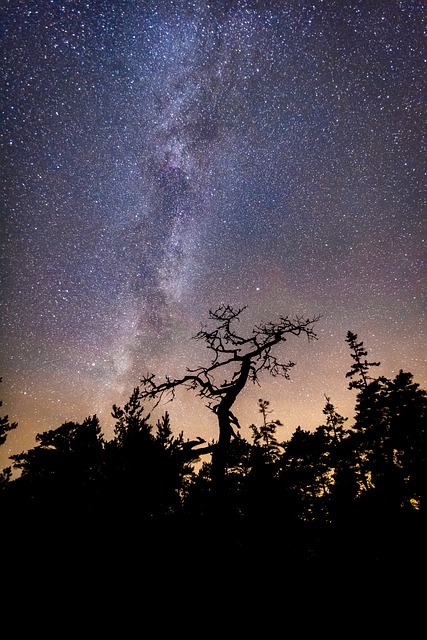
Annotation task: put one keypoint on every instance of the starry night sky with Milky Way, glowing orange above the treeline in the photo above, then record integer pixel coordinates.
(162, 158)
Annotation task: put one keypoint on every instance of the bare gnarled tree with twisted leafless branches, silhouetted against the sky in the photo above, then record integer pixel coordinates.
(235, 360)
